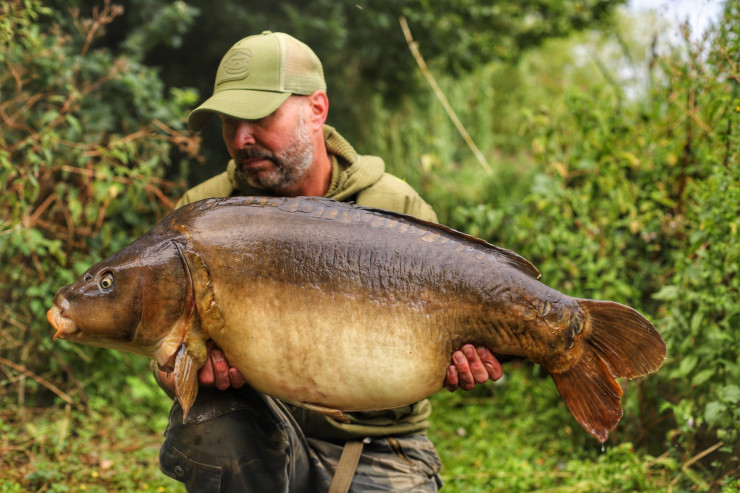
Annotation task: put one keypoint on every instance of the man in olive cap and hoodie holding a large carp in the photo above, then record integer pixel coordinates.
(270, 96)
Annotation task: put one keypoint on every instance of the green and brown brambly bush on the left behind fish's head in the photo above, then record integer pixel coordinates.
(85, 138)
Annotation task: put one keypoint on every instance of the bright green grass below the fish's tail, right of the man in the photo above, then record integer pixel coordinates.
(518, 436)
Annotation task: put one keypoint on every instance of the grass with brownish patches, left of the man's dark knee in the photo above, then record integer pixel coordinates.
(53, 450)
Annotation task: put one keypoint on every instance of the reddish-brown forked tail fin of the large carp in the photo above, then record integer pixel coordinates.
(618, 342)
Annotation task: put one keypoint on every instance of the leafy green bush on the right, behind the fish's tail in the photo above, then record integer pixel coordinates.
(637, 201)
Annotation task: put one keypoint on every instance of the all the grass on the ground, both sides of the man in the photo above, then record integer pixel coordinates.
(512, 436)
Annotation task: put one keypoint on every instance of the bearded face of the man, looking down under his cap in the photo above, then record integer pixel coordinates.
(272, 153)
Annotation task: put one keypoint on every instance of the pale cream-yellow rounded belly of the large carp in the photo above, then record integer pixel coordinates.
(336, 350)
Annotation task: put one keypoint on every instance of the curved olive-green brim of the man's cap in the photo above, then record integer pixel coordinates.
(244, 104)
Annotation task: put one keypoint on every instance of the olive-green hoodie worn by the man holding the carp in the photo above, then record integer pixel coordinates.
(363, 180)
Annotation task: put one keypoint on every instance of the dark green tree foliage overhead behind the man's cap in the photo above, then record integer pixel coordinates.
(360, 43)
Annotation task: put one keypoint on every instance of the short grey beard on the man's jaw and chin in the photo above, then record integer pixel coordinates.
(290, 165)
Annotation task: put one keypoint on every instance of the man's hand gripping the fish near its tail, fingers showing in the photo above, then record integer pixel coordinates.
(471, 366)
